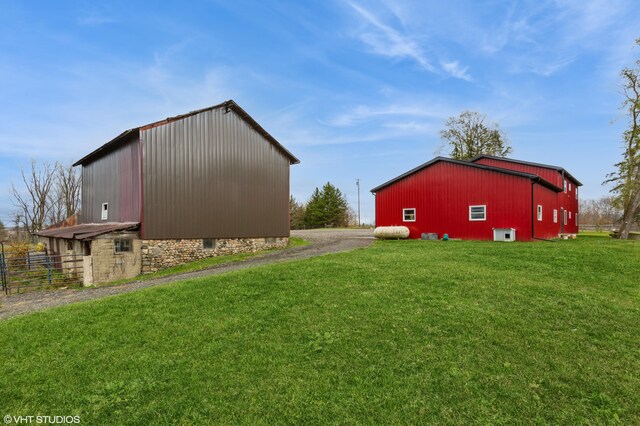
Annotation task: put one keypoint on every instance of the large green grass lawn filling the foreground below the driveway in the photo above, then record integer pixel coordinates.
(402, 332)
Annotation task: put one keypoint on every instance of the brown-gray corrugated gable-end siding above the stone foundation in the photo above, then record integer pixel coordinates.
(211, 175)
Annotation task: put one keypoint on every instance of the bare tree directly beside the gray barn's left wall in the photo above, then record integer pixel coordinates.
(65, 197)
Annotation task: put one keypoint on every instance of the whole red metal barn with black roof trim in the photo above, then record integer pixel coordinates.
(483, 199)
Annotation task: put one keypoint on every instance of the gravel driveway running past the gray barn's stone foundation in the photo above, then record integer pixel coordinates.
(321, 241)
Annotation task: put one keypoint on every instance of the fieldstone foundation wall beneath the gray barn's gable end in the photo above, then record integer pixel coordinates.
(161, 254)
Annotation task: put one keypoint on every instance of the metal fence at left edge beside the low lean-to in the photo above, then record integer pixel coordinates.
(37, 269)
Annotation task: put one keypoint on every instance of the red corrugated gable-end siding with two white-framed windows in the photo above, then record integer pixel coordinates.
(442, 194)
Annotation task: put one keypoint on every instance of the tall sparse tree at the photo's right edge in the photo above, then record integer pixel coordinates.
(627, 178)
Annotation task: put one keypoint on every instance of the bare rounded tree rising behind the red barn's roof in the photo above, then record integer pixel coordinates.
(469, 135)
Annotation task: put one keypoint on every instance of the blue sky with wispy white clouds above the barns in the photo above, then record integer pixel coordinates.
(355, 89)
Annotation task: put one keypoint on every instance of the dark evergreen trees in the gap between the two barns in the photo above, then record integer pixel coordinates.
(326, 208)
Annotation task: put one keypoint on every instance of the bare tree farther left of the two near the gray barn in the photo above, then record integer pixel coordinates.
(34, 204)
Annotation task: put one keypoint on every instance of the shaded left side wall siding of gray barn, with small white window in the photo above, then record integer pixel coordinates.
(115, 179)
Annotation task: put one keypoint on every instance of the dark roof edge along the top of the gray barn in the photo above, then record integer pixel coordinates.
(229, 105)
